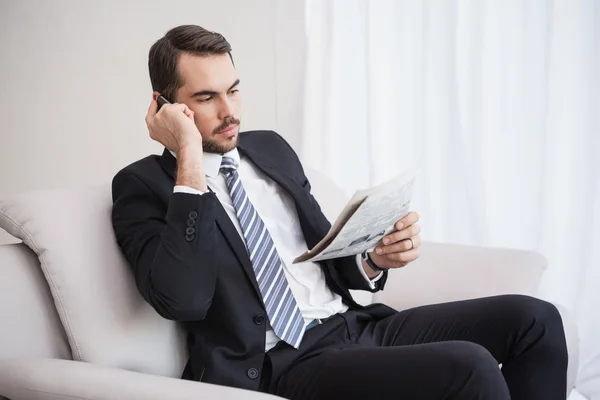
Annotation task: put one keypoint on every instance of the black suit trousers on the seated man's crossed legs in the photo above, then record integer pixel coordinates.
(446, 351)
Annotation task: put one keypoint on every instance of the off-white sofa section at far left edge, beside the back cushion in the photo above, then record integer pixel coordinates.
(30, 324)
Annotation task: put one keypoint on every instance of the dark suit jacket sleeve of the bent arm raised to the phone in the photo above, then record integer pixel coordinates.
(172, 255)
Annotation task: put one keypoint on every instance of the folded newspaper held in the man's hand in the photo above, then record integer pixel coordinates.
(367, 218)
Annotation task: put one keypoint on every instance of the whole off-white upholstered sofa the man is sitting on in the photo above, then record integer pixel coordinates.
(74, 326)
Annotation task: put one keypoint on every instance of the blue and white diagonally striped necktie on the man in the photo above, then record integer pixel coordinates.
(284, 315)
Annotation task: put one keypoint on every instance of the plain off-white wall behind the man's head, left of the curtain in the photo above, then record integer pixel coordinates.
(75, 87)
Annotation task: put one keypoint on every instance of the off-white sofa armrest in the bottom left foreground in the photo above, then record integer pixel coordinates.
(53, 379)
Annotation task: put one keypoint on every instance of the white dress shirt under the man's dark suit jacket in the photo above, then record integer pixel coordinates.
(278, 212)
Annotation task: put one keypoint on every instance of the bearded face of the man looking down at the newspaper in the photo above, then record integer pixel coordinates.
(211, 91)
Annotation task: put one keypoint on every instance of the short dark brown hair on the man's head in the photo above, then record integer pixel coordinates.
(164, 55)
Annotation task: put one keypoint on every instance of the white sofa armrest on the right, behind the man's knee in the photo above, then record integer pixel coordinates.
(448, 272)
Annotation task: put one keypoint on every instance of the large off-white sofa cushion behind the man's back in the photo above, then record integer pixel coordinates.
(106, 320)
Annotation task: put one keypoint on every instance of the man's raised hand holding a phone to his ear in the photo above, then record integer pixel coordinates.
(173, 126)
